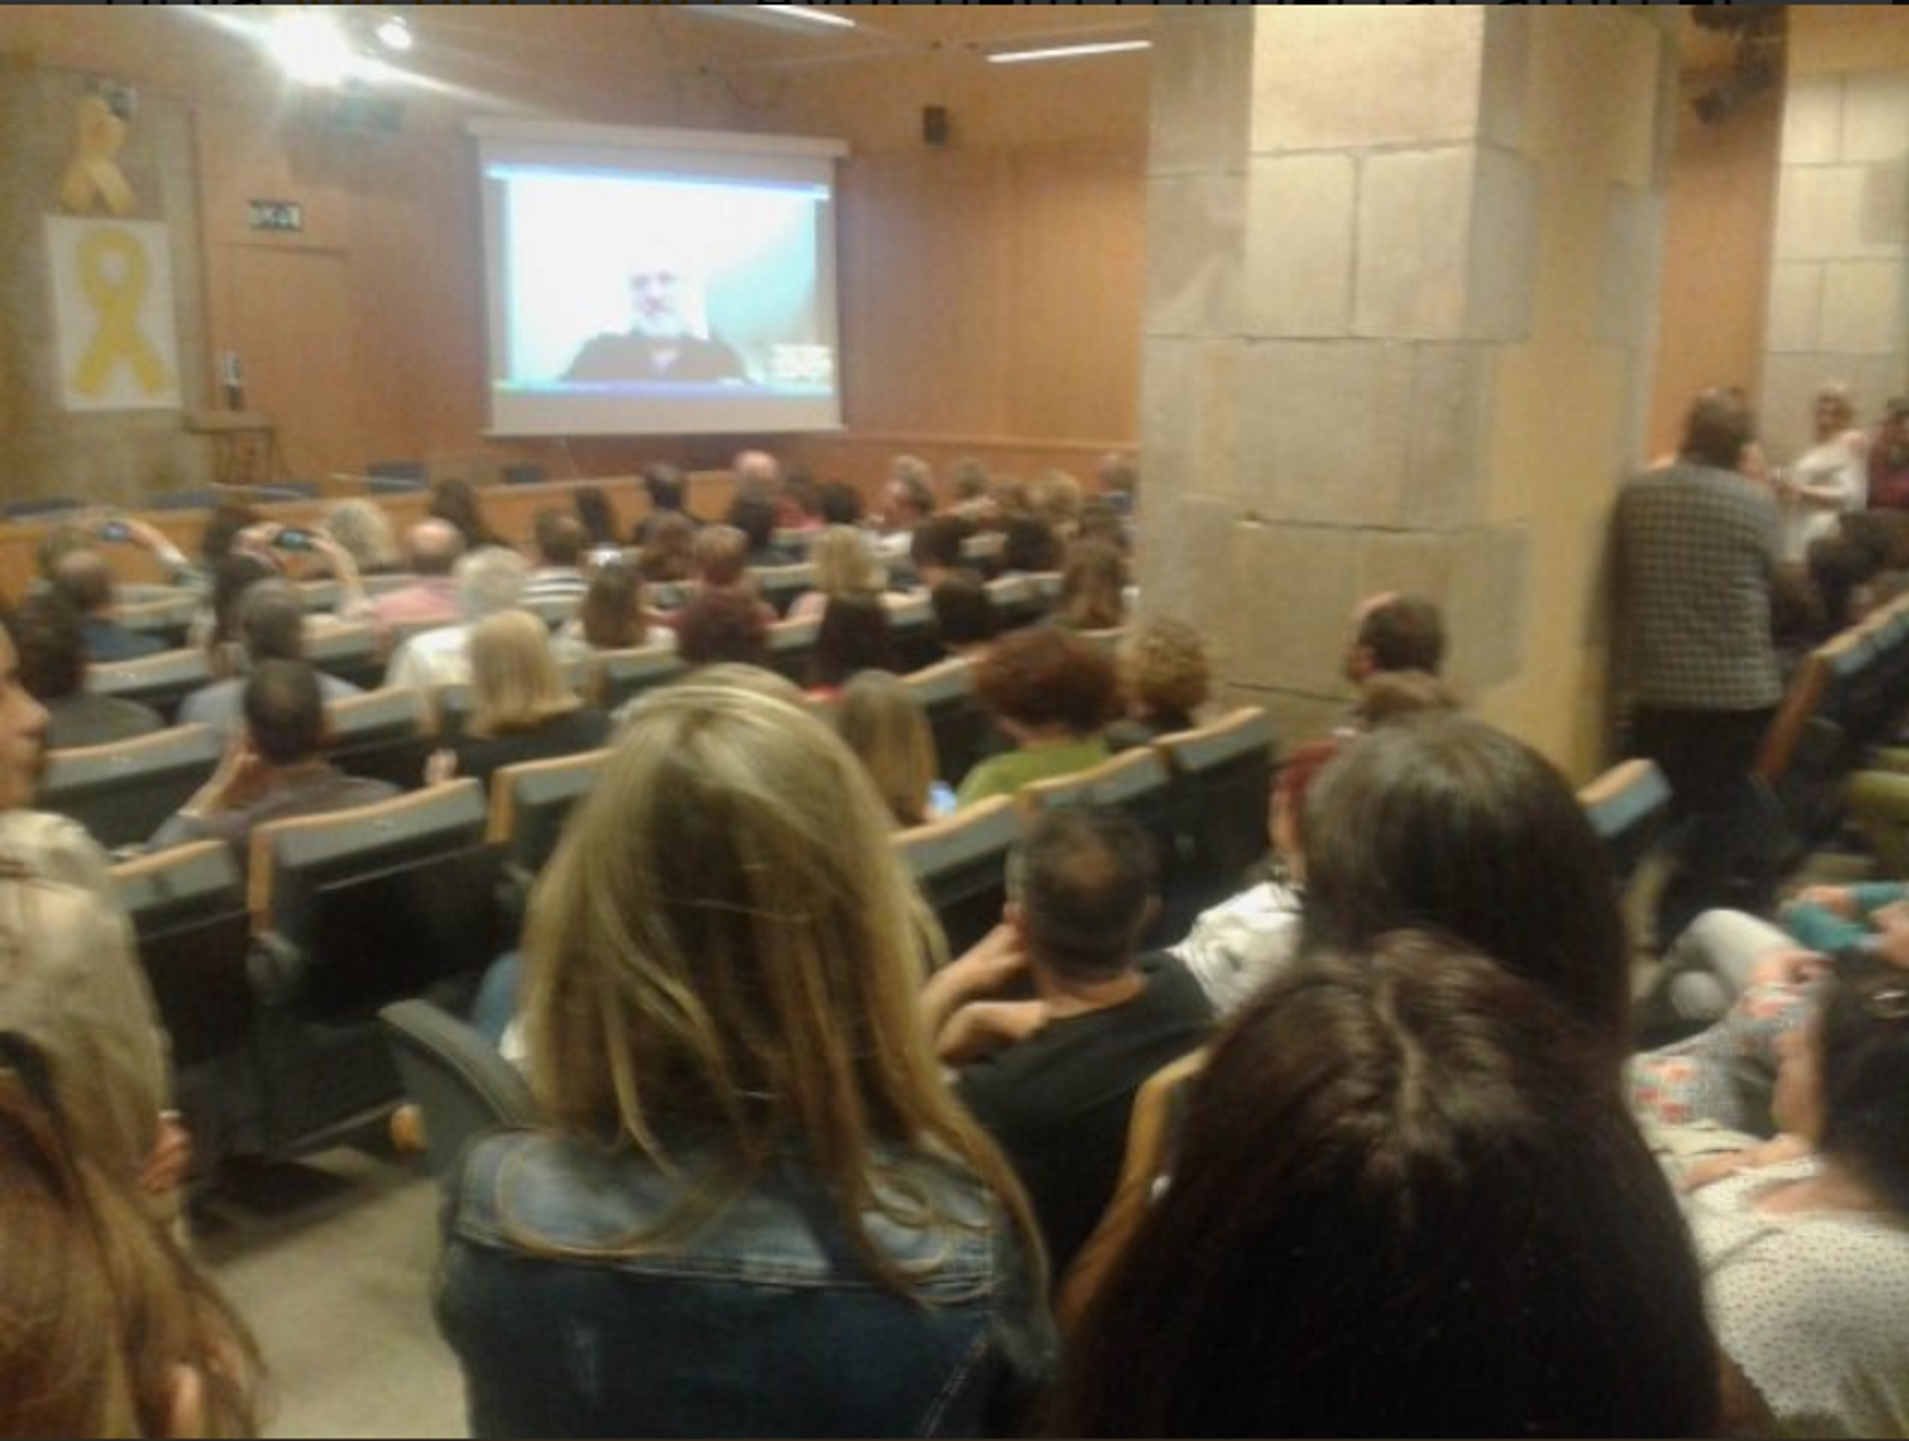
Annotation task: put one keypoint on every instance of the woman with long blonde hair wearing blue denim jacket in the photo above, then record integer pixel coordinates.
(721, 1024)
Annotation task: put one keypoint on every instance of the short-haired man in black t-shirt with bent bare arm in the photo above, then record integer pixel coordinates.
(1055, 1020)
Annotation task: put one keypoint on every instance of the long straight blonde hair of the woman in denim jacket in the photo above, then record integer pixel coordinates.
(724, 955)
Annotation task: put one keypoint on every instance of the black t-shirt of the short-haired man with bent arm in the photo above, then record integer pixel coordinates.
(1059, 1102)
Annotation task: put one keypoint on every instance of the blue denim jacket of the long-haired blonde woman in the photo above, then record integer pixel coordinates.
(761, 1322)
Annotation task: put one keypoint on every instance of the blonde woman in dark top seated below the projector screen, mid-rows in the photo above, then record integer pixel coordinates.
(520, 707)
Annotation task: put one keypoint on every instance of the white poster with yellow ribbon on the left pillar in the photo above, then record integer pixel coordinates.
(114, 316)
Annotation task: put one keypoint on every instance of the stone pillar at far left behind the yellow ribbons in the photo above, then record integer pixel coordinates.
(117, 457)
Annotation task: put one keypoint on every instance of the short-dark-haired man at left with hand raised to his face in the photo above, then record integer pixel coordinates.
(276, 772)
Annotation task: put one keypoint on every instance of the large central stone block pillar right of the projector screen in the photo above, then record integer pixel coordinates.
(1402, 283)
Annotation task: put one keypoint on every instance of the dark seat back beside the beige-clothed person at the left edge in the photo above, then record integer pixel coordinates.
(190, 921)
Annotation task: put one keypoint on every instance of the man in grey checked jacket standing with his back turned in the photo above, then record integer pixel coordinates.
(1696, 554)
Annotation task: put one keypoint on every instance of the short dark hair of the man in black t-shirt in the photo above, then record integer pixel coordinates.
(1083, 877)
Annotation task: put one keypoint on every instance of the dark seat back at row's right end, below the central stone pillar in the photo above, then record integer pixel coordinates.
(1223, 782)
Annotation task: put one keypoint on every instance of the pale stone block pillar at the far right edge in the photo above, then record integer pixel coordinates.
(1837, 285)
